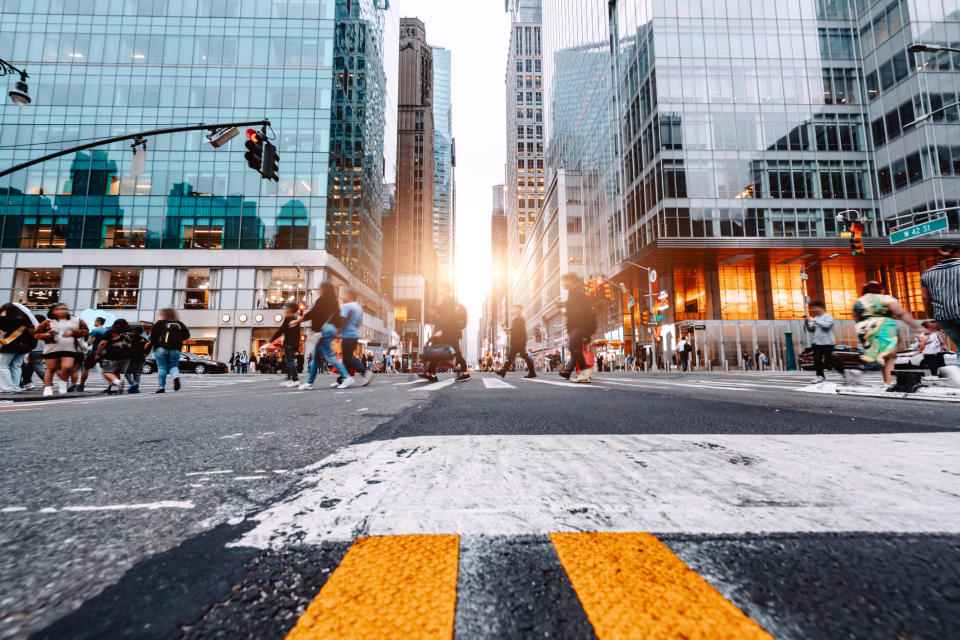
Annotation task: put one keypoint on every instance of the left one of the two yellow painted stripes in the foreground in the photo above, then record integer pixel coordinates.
(389, 587)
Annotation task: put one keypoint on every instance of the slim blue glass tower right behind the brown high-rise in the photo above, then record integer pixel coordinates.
(444, 179)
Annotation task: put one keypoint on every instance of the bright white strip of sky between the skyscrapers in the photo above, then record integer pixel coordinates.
(477, 33)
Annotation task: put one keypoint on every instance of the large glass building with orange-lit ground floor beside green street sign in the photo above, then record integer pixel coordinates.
(720, 148)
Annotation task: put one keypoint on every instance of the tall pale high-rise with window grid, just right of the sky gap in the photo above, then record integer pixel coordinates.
(525, 124)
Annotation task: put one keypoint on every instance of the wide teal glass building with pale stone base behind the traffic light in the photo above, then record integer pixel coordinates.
(198, 231)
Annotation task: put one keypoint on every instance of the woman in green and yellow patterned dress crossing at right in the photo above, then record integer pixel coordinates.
(876, 314)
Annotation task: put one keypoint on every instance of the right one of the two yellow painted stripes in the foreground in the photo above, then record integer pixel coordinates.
(632, 586)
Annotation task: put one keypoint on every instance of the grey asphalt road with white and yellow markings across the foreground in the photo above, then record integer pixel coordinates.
(224, 509)
